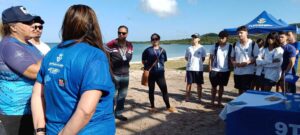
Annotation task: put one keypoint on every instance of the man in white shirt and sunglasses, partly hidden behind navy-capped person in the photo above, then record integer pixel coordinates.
(38, 29)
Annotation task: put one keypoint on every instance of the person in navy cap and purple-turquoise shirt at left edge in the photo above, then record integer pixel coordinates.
(19, 65)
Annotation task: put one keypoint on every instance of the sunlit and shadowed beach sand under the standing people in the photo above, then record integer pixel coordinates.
(192, 118)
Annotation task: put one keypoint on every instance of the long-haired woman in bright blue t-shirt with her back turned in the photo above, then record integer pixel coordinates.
(74, 90)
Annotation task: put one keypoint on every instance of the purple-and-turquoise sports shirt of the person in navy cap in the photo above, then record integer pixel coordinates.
(15, 88)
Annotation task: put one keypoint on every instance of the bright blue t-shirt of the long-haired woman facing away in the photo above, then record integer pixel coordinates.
(68, 71)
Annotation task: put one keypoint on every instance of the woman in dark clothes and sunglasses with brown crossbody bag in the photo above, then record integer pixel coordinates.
(154, 59)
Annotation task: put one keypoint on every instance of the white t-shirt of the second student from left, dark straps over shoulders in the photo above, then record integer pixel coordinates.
(220, 63)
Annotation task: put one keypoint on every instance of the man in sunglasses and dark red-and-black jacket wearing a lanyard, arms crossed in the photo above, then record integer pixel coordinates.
(120, 51)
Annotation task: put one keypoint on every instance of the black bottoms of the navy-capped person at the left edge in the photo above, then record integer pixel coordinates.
(17, 124)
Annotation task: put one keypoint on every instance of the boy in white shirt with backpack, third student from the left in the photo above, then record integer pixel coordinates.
(243, 57)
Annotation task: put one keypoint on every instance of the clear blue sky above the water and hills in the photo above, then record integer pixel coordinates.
(172, 19)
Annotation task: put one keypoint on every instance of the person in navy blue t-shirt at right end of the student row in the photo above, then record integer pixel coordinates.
(289, 57)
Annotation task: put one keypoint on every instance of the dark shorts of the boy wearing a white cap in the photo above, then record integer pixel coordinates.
(194, 77)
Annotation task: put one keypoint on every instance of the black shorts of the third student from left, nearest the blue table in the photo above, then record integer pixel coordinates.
(243, 82)
